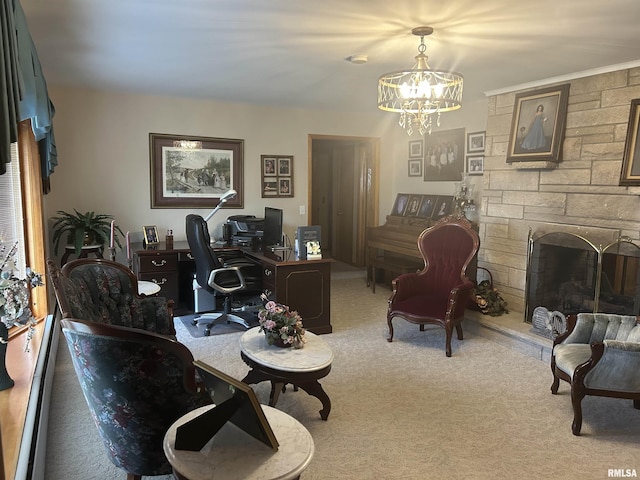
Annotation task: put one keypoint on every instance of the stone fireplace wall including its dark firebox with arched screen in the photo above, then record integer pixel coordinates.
(578, 196)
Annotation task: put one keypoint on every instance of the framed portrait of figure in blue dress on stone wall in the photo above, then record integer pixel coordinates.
(537, 127)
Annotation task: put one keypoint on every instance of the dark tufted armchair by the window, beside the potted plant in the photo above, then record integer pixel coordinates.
(103, 291)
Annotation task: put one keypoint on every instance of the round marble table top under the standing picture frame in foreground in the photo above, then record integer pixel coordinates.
(233, 454)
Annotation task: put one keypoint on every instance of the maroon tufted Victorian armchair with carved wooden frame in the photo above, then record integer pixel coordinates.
(438, 293)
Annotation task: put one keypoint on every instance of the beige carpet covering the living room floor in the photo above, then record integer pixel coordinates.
(400, 410)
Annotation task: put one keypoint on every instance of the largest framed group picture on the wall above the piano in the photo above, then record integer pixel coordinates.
(444, 155)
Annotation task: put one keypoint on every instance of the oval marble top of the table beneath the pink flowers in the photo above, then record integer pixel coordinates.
(315, 355)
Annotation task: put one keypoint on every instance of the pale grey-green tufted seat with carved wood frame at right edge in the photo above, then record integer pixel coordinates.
(599, 354)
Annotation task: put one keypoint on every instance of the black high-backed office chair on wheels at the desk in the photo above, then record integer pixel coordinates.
(213, 276)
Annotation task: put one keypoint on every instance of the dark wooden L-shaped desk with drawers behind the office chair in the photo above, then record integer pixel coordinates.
(304, 285)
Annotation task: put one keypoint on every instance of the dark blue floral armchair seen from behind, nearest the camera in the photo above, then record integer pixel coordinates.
(136, 384)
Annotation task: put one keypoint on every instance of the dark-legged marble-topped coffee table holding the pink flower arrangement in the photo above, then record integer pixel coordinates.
(300, 367)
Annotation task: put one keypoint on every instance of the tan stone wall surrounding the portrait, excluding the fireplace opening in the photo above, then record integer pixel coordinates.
(581, 195)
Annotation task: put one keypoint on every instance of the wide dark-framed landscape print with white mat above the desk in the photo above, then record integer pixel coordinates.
(194, 172)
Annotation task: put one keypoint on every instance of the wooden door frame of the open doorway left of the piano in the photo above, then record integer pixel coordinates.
(367, 183)
